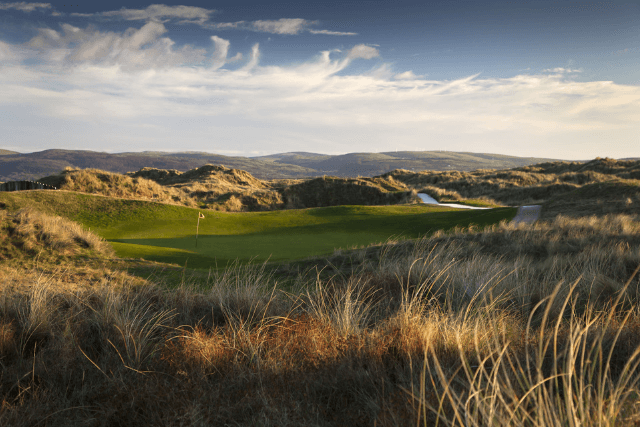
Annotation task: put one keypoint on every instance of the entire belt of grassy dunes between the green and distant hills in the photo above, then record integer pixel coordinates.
(570, 188)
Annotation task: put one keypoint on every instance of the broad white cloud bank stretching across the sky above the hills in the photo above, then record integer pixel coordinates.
(134, 87)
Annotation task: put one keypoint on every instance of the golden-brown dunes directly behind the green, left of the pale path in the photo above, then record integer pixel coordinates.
(220, 188)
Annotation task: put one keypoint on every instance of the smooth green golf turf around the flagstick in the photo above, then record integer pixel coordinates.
(166, 233)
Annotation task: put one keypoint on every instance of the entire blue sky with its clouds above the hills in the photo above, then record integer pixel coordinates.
(535, 78)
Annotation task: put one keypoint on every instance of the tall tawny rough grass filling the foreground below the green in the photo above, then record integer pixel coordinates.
(506, 325)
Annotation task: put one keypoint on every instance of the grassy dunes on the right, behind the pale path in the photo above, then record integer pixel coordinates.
(550, 184)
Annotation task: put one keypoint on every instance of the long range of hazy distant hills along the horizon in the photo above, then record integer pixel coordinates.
(32, 166)
